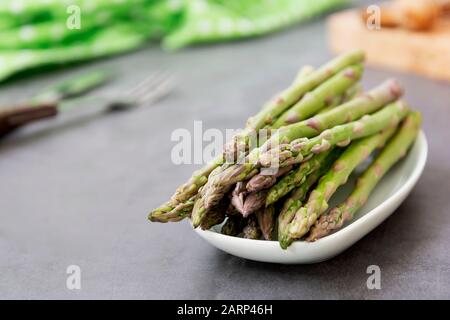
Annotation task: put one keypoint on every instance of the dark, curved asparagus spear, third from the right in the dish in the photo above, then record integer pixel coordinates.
(298, 195)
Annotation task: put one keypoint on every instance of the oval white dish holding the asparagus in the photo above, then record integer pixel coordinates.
(387, 196)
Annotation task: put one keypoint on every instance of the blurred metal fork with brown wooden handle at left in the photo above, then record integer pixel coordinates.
(146, 92)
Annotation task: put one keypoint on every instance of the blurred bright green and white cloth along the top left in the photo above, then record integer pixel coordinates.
(37, 33)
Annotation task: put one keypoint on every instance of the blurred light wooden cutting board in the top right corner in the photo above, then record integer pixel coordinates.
(425, 53)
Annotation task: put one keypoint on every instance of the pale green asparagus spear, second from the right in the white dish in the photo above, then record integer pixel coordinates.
(317, 203)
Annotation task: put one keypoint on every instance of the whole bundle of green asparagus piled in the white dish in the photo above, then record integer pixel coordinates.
(324, 127)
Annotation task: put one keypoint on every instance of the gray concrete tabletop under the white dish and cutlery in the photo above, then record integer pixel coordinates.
(76, 190)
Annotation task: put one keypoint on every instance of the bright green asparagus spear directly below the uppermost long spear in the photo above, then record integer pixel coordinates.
(324, 94)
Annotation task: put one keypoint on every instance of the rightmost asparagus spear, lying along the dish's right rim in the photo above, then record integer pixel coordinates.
(391, 154)
